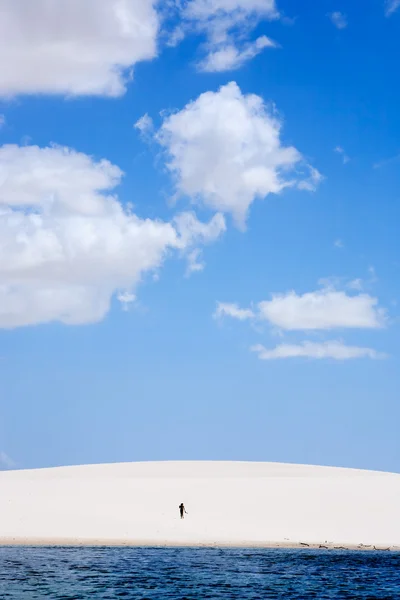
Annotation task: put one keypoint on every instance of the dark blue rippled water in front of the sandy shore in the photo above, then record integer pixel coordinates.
(185, 573)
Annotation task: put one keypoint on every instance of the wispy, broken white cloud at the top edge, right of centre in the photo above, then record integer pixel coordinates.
(226, 25)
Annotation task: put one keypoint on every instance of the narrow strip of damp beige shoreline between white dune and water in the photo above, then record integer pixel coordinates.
(118, 543)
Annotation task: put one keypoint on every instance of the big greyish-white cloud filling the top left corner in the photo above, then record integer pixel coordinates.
(74, 47)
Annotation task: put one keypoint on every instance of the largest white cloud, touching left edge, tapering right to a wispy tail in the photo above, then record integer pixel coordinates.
(67, 244)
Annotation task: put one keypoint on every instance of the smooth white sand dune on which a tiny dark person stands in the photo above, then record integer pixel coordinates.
(229, 503)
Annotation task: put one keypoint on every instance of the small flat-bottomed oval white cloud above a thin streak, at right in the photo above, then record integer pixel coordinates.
(322, 309)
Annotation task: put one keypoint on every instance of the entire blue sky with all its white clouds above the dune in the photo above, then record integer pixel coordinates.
(199, 255)
